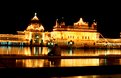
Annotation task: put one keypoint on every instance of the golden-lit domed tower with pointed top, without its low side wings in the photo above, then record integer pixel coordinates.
(34, 33)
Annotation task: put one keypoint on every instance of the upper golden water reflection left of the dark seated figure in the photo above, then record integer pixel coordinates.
(23, 50)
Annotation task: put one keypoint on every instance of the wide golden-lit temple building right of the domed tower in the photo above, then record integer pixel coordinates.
(81, 34)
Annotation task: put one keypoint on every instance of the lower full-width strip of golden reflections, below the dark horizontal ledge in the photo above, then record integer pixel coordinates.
(58, 62)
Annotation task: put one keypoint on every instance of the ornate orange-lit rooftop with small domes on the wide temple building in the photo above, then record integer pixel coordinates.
(78, 26)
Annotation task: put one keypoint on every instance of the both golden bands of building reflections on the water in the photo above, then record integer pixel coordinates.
(39, 51)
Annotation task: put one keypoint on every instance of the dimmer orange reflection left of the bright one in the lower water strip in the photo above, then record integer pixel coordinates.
(38, 63)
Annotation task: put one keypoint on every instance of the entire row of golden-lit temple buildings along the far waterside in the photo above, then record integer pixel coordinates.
(80, 34)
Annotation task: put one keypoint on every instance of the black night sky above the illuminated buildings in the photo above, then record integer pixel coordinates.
(16, 15)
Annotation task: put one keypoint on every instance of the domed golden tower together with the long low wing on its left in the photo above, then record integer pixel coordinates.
(33, 35)
